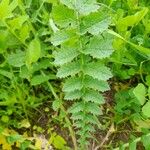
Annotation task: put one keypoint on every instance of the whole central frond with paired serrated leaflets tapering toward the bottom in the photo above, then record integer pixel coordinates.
(75, 53)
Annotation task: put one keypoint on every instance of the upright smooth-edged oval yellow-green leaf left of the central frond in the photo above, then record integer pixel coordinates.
(33, 52)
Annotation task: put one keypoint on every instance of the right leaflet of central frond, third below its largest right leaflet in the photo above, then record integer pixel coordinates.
(93, 96)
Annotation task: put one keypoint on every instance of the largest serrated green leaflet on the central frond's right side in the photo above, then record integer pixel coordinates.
(99, 47)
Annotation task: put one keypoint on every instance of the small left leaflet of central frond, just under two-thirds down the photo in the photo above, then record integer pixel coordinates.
(73, 95)
